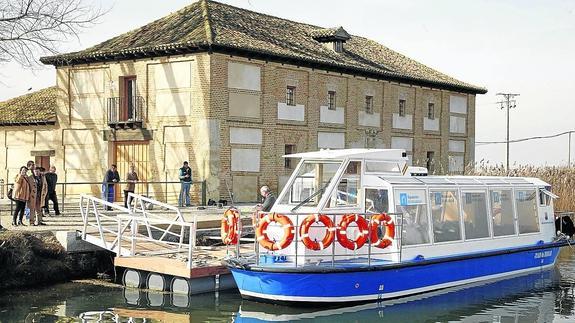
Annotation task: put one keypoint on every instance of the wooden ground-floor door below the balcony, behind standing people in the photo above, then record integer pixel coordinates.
(137, 153)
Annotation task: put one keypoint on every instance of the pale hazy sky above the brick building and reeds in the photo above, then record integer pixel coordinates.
(520, 46)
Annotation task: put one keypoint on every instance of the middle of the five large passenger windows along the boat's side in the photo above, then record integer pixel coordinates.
(475, 215)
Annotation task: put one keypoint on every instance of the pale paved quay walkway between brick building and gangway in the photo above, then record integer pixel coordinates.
(71, 220)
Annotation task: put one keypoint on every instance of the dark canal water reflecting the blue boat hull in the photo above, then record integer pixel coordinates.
(547, 296)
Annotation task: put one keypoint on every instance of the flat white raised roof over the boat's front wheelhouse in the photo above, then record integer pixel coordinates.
(359, 153)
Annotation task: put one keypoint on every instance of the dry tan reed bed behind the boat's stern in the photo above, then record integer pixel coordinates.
(561, 179)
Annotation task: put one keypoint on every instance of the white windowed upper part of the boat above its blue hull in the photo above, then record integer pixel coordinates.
(427, 216)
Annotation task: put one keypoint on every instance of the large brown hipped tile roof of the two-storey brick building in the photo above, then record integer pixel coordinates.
(213, 26)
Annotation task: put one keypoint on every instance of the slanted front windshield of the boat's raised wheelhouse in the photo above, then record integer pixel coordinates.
(310, 183)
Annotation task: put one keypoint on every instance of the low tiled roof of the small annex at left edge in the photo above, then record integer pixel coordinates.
(34, 108)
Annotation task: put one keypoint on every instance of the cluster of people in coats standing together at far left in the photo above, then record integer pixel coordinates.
(33, 188)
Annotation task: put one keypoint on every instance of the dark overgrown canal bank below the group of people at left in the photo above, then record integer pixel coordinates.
(36, 258)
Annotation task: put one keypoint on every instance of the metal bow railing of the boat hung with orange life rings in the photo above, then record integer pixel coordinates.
(335, 254)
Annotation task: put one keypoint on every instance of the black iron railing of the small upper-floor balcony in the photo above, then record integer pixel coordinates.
(126, 112)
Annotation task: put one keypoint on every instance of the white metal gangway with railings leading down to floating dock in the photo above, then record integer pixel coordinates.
(147, 228)
